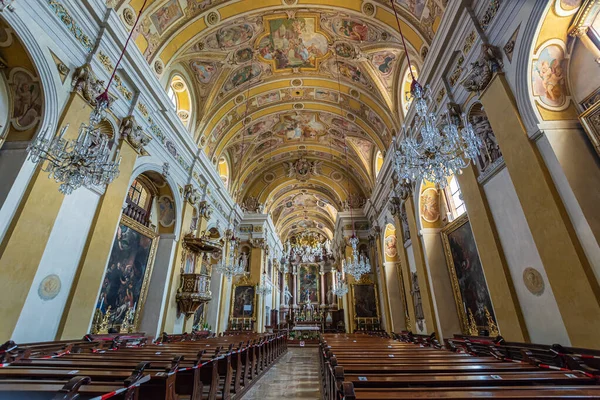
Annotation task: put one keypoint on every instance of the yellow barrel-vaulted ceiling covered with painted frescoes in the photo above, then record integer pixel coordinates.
(297, 95)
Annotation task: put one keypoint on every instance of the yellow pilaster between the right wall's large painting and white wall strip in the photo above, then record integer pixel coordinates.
(499, 281)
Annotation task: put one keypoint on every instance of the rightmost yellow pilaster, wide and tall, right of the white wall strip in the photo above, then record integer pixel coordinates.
(569, 273)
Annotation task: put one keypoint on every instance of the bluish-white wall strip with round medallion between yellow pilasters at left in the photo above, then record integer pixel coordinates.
(39, 318)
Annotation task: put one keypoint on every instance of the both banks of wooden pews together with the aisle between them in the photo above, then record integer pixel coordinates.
(363, 366)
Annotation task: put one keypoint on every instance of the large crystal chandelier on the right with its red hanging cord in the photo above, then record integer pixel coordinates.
(426, 152)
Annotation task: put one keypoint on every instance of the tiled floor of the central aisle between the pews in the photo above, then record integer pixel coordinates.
(294, 376)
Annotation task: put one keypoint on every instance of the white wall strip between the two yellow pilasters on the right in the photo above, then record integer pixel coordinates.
(542, 317)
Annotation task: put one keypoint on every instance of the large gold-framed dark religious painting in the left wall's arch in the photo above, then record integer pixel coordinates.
(125, 284)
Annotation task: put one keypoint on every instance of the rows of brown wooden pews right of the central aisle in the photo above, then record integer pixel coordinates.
(360, 367)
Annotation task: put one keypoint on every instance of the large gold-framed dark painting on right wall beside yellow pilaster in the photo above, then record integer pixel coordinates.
(470, 289)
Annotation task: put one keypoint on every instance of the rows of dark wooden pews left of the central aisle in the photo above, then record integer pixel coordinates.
(182, 365)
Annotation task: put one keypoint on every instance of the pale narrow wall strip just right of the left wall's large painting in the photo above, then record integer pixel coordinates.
(155, 304)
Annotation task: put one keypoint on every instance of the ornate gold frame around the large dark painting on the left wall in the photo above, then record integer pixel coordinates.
(102, 320)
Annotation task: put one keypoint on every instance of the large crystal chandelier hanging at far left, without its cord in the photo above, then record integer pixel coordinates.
(85, 162)
